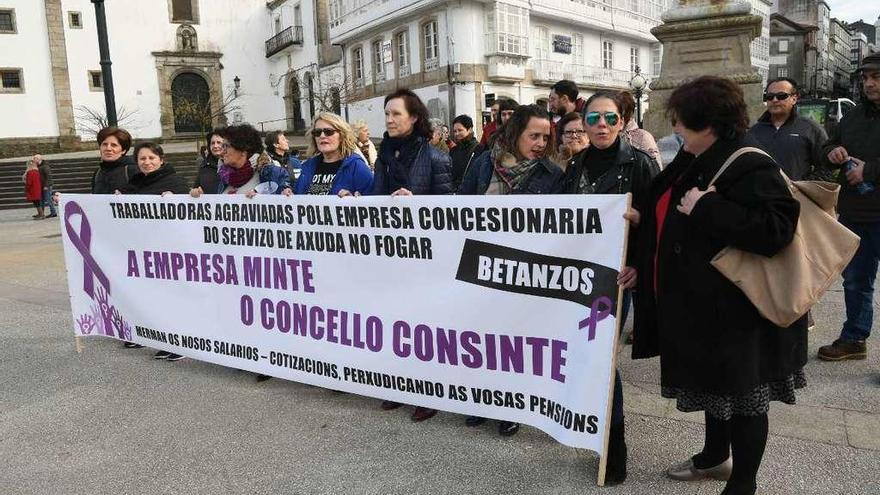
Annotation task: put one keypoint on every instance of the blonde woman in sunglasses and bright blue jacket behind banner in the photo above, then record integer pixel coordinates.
(335, 166)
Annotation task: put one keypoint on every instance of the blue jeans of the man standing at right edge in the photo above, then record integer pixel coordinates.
(858, 281)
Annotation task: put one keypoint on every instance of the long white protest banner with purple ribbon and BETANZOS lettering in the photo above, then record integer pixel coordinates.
(496, 306)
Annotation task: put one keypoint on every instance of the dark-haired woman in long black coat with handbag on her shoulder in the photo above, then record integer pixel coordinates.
(717, 353)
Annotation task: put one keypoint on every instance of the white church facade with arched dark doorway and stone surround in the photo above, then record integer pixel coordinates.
(164, 53)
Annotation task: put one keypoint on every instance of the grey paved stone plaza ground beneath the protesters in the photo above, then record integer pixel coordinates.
(115, 421)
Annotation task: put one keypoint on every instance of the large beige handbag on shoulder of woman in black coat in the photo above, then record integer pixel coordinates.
(784, 287)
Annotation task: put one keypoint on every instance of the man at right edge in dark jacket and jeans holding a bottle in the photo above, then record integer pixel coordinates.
(855, 147)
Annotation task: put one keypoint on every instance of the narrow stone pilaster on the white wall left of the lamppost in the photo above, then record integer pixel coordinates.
(60, 74)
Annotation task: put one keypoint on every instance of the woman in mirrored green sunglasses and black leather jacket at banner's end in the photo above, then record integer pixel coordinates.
(611, 166)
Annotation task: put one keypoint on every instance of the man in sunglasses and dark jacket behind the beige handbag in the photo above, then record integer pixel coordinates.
(795, 142)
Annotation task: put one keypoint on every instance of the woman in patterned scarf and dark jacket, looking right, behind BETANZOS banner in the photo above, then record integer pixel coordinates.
(521, 162)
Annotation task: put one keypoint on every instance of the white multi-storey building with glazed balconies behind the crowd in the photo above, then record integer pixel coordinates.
(458, 56)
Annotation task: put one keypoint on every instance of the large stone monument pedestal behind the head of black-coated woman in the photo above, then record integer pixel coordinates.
(705, 37)
